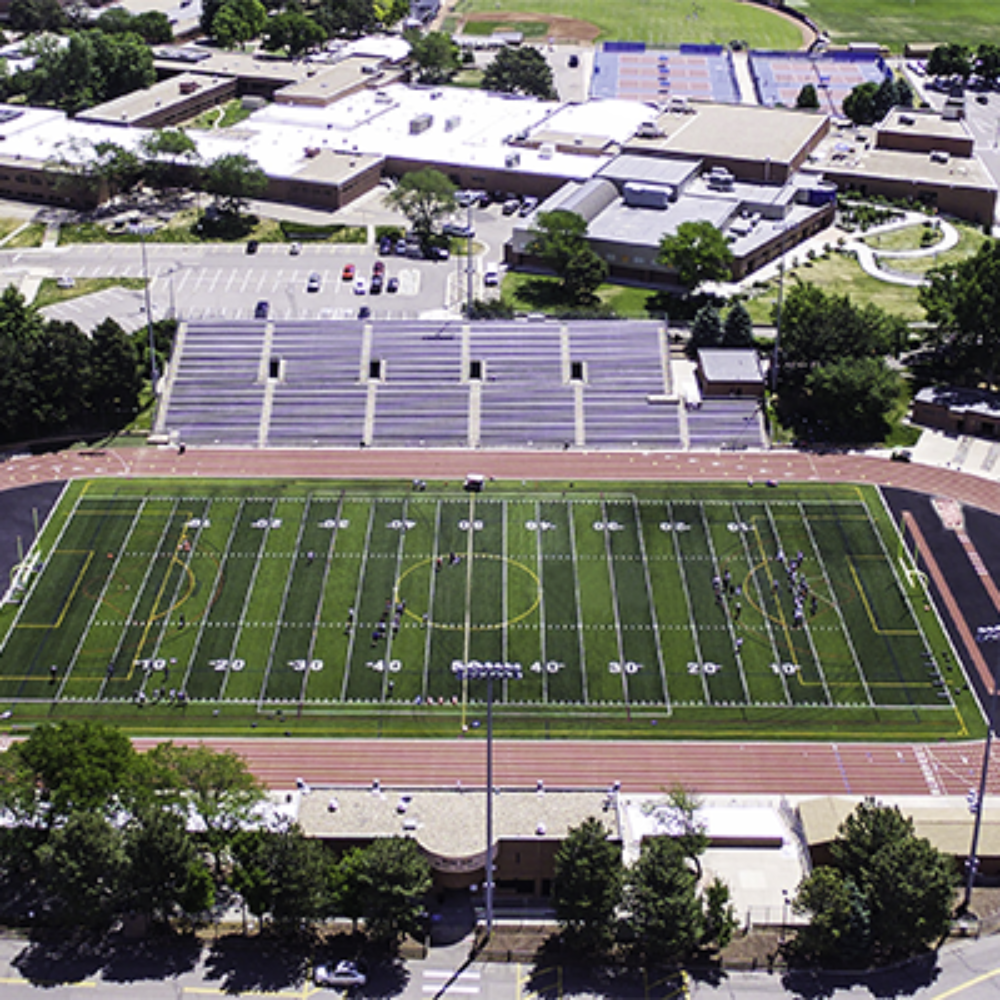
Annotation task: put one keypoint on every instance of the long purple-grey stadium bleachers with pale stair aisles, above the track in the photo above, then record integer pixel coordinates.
(494, 384)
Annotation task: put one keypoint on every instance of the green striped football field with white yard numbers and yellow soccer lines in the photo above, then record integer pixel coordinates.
(633, 610)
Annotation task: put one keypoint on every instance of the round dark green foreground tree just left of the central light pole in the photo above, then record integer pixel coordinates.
(387, 883)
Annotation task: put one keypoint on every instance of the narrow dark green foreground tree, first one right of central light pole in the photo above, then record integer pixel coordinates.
(587, 887)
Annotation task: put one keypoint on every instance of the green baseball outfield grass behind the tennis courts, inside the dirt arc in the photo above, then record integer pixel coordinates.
(669, 24)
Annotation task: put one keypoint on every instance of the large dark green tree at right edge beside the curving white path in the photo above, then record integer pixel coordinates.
(962, 300)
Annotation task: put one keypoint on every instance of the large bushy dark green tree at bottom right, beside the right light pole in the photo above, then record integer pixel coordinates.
(887, 894)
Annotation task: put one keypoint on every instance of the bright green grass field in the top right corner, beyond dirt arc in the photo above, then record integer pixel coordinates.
(895, 22)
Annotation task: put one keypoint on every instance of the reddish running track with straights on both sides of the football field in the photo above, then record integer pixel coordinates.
(774, 768)
